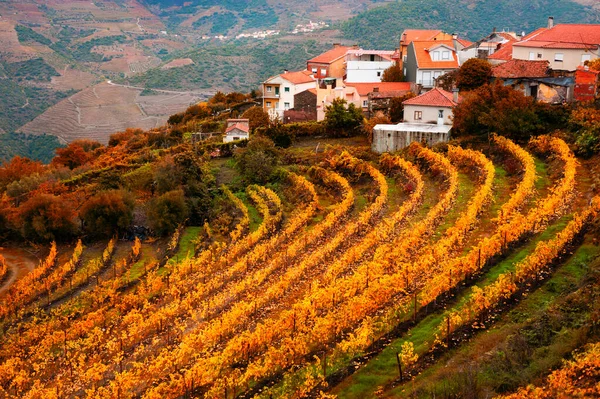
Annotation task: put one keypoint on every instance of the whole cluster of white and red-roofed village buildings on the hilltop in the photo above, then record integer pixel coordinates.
(547, 64)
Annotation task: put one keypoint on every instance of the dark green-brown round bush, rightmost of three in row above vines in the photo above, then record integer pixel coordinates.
(167, 211)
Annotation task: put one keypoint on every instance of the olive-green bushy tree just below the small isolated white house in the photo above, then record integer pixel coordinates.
(258, 160)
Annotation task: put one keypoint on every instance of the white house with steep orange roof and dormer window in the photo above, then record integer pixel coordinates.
(427, 60)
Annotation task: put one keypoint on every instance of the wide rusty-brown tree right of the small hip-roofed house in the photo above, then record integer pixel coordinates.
(500, 109)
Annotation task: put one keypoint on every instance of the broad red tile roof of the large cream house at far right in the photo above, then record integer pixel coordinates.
(564, 36)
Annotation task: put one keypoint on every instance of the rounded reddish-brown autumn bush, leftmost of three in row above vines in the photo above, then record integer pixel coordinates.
(45, 217)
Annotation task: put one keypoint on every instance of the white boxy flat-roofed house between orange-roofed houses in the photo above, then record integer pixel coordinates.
(367, 66)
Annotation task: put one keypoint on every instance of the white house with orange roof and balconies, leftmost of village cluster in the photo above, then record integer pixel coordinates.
(279, 91)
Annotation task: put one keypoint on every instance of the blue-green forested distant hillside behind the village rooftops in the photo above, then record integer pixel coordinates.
(381, 27)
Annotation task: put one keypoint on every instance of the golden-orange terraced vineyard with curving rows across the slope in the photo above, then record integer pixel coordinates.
(369, 250)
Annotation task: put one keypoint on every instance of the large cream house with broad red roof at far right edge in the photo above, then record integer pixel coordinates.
(565, 46)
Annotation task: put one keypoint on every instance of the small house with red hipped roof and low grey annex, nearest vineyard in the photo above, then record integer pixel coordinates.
(427, 118)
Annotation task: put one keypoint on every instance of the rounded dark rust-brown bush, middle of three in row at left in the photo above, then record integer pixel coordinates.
(108, 212)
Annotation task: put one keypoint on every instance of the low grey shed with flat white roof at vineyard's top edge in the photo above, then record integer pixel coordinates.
(390, 138)
